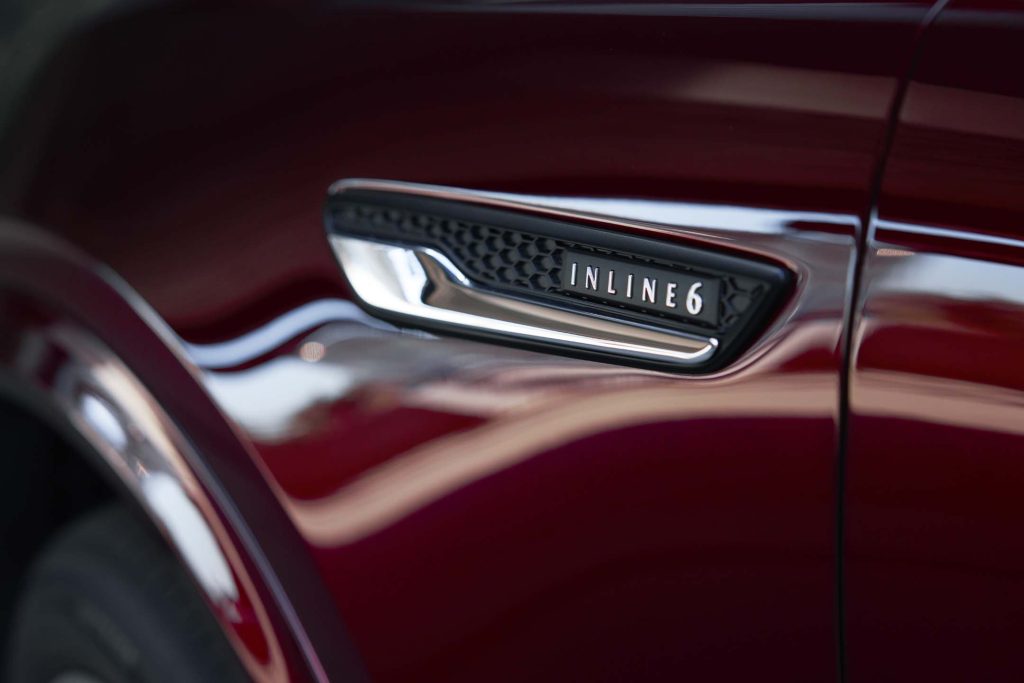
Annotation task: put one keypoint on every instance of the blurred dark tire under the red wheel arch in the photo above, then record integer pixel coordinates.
(108, 603)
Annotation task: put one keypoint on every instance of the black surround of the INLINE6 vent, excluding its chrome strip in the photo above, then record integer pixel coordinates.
(529, 258)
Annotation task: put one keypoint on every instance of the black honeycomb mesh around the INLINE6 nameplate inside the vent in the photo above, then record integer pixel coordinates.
(506, 259)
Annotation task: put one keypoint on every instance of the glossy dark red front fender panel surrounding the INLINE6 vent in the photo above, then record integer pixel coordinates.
(470, 511)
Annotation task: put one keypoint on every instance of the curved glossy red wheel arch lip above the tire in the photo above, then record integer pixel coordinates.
(100, 374)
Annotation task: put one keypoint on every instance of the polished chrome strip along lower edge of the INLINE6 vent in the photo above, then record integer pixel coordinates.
(423, 285)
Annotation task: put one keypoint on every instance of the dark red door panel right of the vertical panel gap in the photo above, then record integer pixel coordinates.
(937, 395)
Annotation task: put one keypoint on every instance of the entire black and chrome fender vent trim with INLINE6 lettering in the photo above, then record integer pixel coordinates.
(514, 278)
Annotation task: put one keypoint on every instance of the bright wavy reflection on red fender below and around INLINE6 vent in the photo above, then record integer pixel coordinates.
(347, 375)
